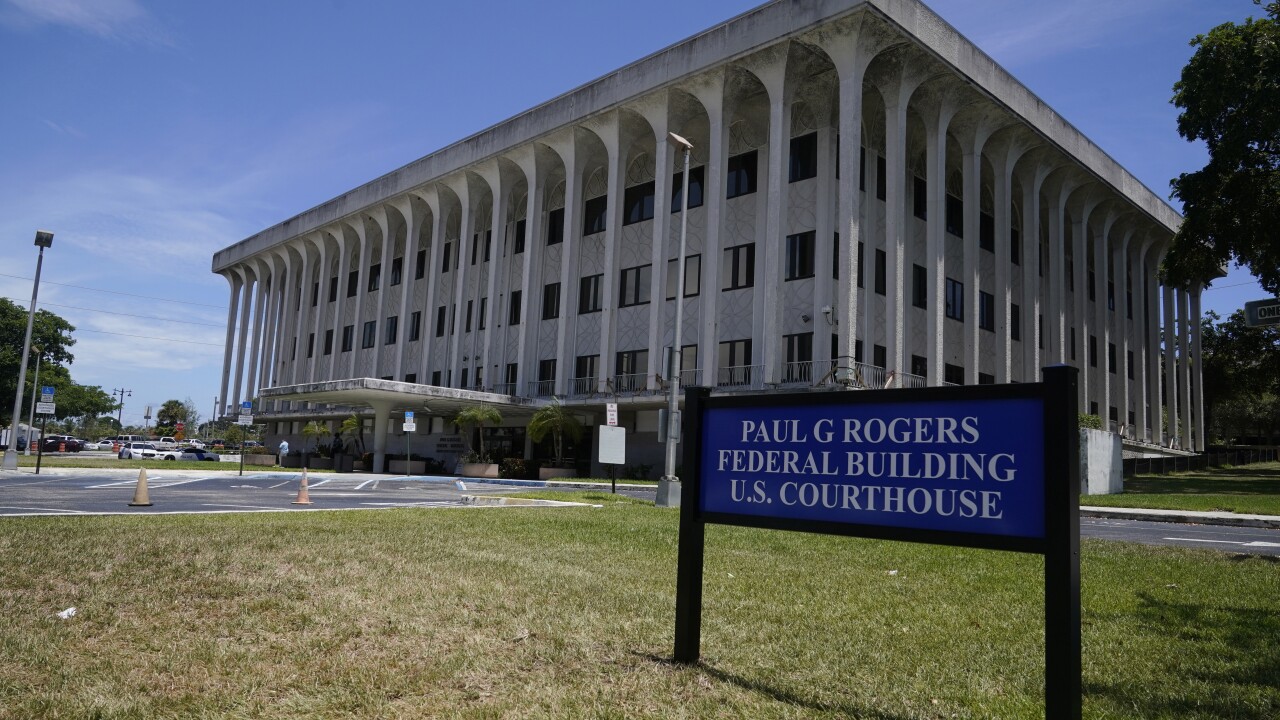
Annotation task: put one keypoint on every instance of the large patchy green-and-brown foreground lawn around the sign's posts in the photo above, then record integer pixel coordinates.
(569, 613)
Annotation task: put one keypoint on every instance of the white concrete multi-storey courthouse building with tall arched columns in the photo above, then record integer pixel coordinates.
(874, 203)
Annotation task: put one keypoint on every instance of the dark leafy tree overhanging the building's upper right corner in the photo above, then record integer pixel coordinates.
(1229, 95)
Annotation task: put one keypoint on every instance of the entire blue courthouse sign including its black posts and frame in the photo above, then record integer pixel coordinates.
(990, 467)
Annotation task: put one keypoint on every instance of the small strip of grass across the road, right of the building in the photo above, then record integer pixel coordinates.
(1249, 489)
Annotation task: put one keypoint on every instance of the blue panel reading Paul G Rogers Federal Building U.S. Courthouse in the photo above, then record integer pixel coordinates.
(953, 466)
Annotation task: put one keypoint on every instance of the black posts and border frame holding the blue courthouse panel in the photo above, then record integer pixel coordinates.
(1060, 544)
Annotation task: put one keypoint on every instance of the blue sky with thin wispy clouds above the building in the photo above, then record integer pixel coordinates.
(149, 135)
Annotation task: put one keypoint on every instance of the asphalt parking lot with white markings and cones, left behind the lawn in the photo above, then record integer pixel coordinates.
(85, 491)
